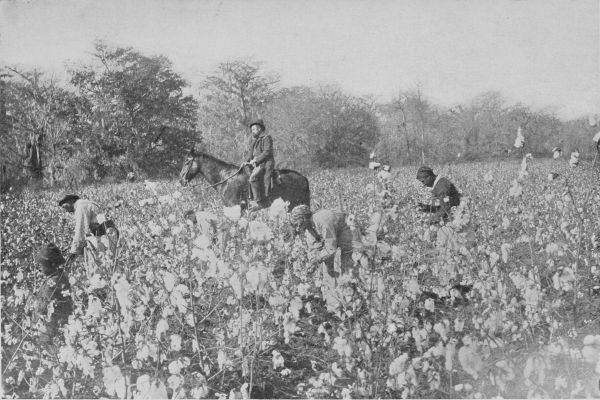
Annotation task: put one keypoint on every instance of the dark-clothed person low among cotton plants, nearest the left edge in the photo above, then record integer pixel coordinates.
(55, 290)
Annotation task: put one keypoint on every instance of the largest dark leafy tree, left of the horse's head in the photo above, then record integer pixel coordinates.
(135, 113)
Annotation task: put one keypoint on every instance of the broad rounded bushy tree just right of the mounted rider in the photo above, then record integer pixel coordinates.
(323, 127)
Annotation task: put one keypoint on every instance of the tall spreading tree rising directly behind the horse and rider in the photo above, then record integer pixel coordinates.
(237, 92)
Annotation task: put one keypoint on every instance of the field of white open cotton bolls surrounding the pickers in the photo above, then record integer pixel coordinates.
(230, 308)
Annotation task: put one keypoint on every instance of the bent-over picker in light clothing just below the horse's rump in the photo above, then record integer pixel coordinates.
(325, 231)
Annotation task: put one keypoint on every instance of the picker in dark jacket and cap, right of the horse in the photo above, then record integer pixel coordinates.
(444, 195)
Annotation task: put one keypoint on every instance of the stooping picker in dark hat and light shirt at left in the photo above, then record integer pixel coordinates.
(87, 225)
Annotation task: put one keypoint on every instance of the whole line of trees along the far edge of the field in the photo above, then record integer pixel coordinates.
(126, 114)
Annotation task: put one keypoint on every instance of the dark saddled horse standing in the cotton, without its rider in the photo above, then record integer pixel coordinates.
(232, 183)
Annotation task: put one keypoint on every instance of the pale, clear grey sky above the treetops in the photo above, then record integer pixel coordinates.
(542, 53)
